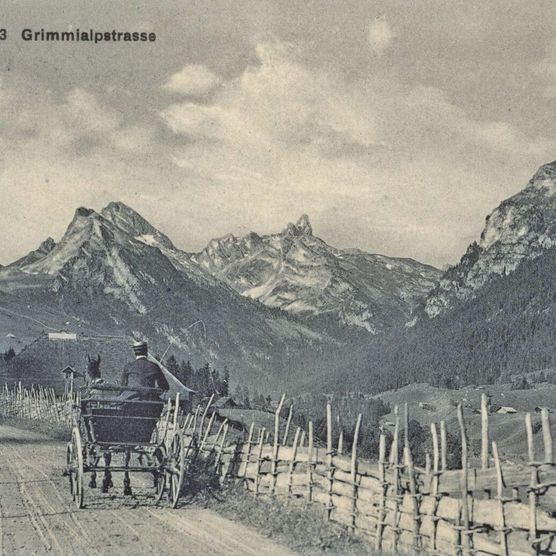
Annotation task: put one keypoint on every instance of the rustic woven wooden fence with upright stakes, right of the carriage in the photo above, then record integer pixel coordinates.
(495, 509)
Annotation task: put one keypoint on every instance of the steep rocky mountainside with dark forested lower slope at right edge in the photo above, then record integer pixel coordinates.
(490, 318)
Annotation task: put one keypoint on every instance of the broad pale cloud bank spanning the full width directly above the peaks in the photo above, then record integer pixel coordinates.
(377, 164)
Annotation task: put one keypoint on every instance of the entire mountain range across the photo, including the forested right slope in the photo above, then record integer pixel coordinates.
(287, 310)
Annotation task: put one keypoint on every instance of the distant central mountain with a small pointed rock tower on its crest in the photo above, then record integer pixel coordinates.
(299, 273)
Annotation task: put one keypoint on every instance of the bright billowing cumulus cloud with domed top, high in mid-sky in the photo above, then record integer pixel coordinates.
(277, 101)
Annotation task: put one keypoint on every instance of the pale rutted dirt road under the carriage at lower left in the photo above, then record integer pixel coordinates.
(37, 514)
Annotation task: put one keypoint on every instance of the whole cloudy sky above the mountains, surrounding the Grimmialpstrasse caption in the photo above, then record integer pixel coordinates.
(396, 126)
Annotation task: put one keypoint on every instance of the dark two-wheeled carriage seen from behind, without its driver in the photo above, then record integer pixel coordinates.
(125, 422)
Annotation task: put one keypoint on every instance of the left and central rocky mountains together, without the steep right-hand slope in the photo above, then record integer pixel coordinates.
(114, 276)
